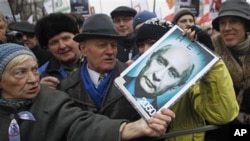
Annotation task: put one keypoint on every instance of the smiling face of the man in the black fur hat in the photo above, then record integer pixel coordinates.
(64, 48)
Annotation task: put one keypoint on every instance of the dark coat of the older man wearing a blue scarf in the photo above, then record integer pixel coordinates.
(114, 104)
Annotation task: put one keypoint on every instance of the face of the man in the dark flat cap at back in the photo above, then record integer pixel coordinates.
(123, 25)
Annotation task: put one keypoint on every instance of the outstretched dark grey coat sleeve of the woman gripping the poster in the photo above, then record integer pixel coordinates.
(63, 119)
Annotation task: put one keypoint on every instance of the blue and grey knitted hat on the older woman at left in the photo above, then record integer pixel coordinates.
(8, 51)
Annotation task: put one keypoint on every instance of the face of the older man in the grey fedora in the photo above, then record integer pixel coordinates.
(100, 53)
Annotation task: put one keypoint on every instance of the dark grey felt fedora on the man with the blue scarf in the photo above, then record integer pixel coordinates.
(92, 27)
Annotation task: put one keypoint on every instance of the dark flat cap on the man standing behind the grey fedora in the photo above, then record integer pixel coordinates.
(123, 11)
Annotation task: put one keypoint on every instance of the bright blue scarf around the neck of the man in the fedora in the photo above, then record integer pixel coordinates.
(96, 94)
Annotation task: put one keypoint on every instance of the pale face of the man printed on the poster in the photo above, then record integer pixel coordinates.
(162, 72)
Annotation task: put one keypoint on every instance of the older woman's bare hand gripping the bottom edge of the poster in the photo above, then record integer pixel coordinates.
(154, 127)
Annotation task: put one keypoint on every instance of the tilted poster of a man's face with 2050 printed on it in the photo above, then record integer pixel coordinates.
(165, 72)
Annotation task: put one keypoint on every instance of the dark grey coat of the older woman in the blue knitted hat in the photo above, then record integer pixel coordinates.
(57, 119)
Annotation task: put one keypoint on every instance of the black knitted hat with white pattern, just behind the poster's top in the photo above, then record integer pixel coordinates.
(154, 29)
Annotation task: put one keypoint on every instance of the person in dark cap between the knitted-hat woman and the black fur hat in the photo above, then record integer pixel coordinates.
(30, 41)
